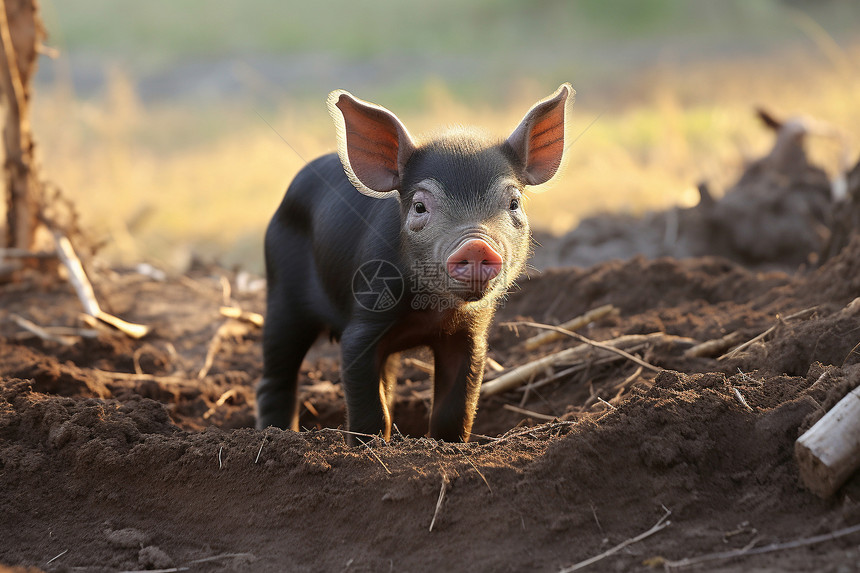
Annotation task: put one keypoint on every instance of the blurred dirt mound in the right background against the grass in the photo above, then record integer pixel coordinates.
(780, 214)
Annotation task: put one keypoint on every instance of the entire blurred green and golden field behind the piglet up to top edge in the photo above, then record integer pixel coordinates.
(177, 126)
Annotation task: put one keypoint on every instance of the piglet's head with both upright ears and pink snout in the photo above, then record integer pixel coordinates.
(465, 234)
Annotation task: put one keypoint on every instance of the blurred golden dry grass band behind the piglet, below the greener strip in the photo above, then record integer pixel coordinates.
(162, 183)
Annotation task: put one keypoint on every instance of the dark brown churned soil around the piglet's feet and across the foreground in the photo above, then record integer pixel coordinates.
(160, 469)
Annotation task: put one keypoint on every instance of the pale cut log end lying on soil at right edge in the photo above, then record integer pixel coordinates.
(829, 452)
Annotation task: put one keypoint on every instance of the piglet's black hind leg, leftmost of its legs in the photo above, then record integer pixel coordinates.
(287, 337)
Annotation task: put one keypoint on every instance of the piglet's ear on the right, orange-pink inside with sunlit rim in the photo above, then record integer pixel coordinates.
(539, 141)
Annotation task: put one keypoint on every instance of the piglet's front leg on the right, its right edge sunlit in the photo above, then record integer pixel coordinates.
(458, 371)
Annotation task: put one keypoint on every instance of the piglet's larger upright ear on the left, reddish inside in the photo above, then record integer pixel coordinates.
(372, 143)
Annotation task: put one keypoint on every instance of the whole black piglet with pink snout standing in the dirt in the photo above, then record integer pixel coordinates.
(394, 243)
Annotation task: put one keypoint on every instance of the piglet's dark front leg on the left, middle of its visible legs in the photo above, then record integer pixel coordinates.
(361, 368)
